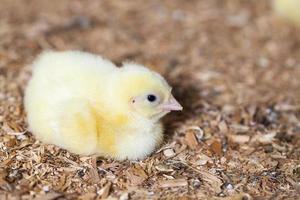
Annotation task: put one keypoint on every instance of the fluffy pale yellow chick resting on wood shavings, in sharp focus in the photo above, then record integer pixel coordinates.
(87, 105)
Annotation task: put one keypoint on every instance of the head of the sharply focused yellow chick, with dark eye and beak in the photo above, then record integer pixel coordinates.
(144, 92)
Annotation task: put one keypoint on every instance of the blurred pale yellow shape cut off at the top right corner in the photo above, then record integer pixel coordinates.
(288, 9)
